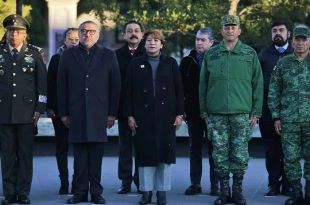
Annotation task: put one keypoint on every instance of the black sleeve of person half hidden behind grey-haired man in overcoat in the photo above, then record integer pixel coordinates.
(52, 81)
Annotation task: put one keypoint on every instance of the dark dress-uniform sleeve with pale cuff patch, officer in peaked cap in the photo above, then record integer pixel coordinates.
(41, 85)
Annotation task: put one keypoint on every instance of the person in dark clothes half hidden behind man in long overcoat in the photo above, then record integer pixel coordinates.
(71, 39)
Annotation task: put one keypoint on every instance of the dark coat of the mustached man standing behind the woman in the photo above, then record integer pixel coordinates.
(124, 57)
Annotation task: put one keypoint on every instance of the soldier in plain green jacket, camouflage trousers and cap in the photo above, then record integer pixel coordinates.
(231, 97)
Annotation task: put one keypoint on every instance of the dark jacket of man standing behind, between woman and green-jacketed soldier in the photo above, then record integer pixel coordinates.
(190, 71)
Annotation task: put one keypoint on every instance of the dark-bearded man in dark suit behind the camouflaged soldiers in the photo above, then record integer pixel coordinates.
(268, 58)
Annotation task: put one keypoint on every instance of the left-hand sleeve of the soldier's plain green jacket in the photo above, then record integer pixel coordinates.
(203, 87)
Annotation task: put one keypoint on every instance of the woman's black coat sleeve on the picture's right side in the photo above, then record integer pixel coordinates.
(178, 88)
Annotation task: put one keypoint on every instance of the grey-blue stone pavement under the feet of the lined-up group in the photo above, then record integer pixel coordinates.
(46, 183)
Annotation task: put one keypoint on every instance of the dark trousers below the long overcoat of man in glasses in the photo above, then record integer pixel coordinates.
(87, 167)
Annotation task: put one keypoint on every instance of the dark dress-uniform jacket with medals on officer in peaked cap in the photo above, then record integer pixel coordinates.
(22, 85)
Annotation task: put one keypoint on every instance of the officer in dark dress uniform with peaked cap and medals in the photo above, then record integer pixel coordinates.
(22, 99)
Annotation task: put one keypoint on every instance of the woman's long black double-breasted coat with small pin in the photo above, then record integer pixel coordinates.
(155, 115)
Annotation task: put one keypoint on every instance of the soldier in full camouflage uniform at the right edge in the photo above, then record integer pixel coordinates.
(289, 103)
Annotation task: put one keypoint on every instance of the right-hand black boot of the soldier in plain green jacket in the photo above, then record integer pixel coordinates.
(237, 195)
